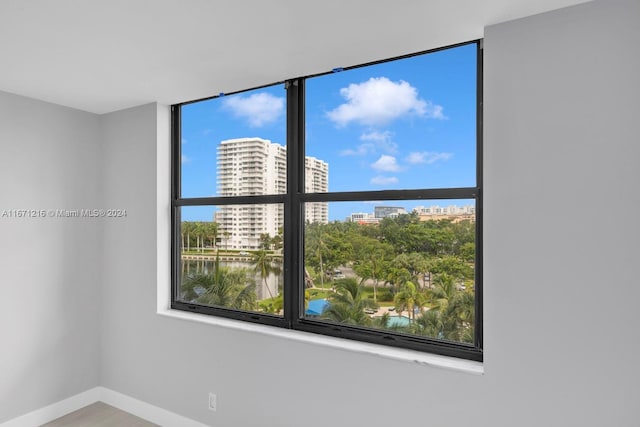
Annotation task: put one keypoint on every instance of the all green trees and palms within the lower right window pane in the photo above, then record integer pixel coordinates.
(425, 268)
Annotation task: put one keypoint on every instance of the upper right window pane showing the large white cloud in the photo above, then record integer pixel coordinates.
(404, 124)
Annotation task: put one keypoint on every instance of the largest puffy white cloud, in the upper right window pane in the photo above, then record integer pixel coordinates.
(379, 101)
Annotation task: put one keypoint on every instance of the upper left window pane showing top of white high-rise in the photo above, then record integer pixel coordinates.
(235, 145)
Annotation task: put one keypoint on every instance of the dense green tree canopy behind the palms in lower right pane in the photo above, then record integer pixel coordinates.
(393, 252)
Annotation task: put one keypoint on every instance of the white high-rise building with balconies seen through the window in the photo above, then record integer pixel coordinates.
(256, 166)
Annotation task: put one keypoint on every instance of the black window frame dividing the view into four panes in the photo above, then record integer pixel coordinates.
(293, 238)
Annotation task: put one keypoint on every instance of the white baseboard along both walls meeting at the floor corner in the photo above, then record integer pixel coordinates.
(121, 401)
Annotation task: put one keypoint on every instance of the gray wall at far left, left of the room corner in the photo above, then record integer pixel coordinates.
(49, 267)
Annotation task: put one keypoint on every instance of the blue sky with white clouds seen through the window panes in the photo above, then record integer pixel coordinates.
(397, 125)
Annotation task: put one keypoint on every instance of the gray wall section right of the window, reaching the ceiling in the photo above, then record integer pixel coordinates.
(561, 227)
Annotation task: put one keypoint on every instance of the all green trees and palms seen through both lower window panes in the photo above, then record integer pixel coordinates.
(424, 268)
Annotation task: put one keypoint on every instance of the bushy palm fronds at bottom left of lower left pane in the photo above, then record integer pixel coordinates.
(224, 287)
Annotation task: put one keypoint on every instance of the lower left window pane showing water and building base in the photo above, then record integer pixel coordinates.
(232, 256)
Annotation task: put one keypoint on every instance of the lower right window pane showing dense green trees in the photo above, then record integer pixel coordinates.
(406, 266)
